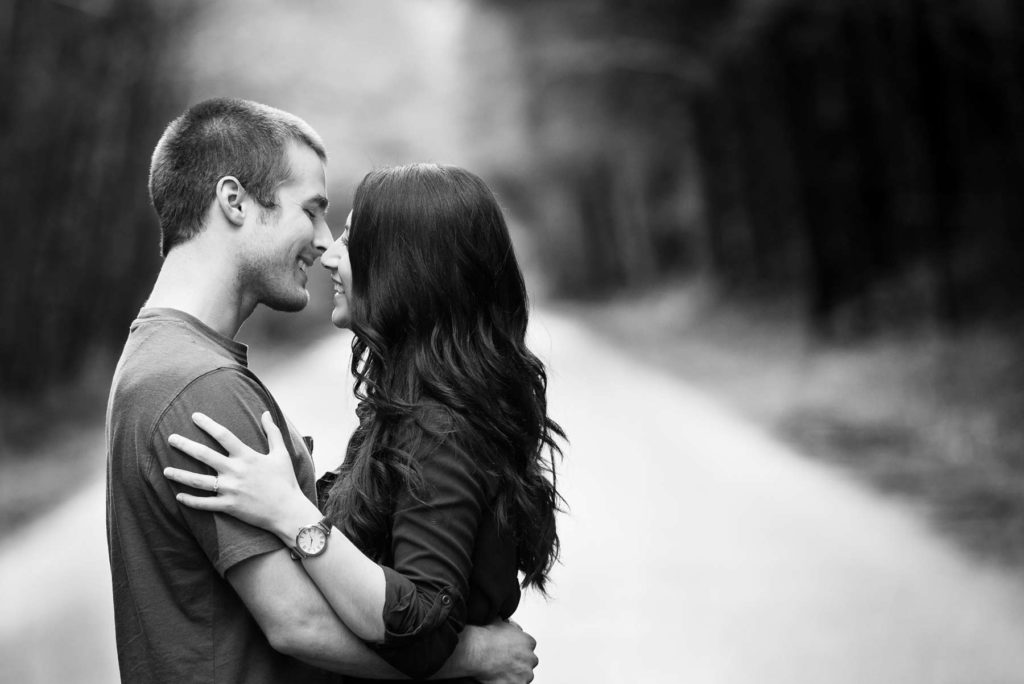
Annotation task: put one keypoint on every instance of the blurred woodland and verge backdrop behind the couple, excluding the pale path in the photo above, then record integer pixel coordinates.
(847, 169)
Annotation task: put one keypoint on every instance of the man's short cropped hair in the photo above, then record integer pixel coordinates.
(217, 139)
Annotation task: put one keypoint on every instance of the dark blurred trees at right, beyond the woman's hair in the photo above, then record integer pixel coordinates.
(865, 154)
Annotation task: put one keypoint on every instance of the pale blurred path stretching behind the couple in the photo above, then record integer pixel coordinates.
(698, 550)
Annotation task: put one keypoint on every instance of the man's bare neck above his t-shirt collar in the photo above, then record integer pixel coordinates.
(197, 283)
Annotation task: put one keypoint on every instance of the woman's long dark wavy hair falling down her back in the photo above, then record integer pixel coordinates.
(440, 313)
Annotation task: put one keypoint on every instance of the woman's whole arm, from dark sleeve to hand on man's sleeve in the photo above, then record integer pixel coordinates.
(413, 612)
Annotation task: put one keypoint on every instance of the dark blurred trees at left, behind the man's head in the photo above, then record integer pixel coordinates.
(84, 93)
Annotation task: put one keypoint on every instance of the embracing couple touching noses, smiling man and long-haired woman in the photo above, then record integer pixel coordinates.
(230, 563)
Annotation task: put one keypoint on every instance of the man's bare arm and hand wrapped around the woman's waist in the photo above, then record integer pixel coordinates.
(298, 622)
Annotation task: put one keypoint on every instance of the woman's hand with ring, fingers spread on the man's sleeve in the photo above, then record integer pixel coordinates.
(259, 489)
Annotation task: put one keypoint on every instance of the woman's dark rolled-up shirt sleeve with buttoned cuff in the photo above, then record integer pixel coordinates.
(434, 537)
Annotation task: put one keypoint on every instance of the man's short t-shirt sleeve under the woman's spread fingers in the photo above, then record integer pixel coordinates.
(236, 402)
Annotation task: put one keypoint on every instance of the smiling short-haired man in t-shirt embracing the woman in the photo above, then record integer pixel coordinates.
(240, 192)
